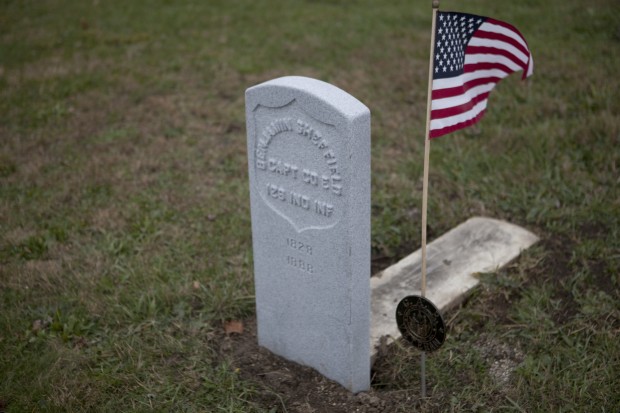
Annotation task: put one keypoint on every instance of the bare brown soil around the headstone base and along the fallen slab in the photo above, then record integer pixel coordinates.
(290, 387)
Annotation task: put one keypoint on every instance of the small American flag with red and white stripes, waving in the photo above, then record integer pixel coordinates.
(472, 54)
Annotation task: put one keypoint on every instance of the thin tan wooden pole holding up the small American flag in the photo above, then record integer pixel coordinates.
(427, 150)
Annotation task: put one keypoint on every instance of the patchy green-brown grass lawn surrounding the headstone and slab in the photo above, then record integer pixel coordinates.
(125, 239)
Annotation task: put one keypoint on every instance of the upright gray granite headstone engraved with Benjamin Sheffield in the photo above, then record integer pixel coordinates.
(309, 172)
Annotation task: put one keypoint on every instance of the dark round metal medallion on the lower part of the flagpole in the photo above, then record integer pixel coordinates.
(420, 323)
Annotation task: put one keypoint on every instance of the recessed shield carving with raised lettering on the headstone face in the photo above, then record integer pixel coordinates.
(297, 166)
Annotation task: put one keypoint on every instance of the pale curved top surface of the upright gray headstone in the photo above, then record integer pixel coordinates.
(315, 93)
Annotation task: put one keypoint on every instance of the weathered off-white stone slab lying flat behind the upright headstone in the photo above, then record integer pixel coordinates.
(477, 245)
